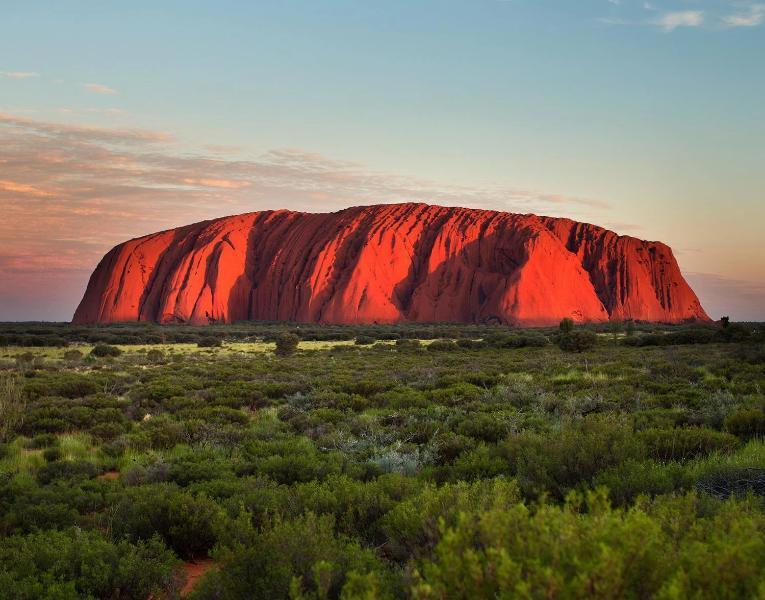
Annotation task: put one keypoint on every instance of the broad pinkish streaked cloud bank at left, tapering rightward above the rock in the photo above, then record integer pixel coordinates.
(70, 192)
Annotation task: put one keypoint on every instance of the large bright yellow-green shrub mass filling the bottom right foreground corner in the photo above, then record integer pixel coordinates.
(607, 552)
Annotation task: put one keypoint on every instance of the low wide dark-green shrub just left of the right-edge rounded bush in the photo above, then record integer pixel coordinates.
(685, 443)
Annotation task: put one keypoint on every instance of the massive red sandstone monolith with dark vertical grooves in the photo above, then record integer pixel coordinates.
(388, 264)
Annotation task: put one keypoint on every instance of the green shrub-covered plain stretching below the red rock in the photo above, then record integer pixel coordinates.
(421, 461)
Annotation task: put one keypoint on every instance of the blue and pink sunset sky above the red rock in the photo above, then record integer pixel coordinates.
(118, 119)
